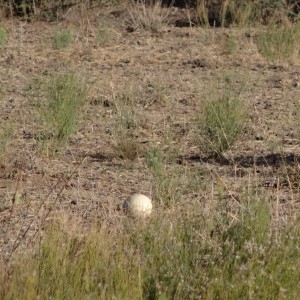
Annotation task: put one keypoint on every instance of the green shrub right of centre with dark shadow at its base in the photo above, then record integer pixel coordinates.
(222, 124)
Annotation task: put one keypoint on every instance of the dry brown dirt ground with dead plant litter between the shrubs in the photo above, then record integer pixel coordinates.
(168, 74)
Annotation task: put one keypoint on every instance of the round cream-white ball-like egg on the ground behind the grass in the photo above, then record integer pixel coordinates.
(138, 205)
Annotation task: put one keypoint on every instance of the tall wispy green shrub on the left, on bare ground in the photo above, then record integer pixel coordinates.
(59, 116)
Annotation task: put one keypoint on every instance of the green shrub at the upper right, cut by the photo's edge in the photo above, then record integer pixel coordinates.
(279, 42)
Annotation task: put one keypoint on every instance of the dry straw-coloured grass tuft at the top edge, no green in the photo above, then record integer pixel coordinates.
(148, 15)
